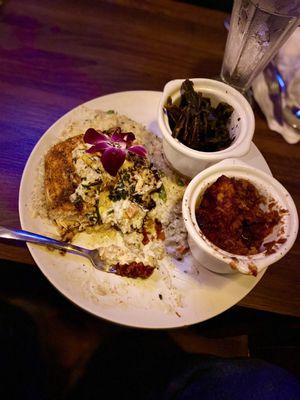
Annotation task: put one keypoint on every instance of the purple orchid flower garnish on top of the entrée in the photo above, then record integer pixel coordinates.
(113, 147)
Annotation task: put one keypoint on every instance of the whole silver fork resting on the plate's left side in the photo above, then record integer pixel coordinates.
(25, 236)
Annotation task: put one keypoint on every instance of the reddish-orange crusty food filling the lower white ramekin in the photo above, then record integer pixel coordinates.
(231, 216)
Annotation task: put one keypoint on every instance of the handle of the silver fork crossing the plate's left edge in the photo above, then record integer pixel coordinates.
(25, 236)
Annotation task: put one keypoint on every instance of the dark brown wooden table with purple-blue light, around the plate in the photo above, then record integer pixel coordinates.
(56, 54)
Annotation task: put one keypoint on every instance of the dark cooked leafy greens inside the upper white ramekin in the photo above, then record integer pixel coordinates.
(196, 123)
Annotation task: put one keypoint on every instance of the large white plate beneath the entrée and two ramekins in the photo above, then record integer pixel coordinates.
(191, 295)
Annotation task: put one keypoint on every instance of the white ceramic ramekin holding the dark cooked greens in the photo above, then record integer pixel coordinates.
(188, 161)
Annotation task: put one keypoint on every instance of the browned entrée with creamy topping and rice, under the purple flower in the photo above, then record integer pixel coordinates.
(136, 211)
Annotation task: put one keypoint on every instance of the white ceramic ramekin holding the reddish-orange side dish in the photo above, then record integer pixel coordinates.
(218, 260)
